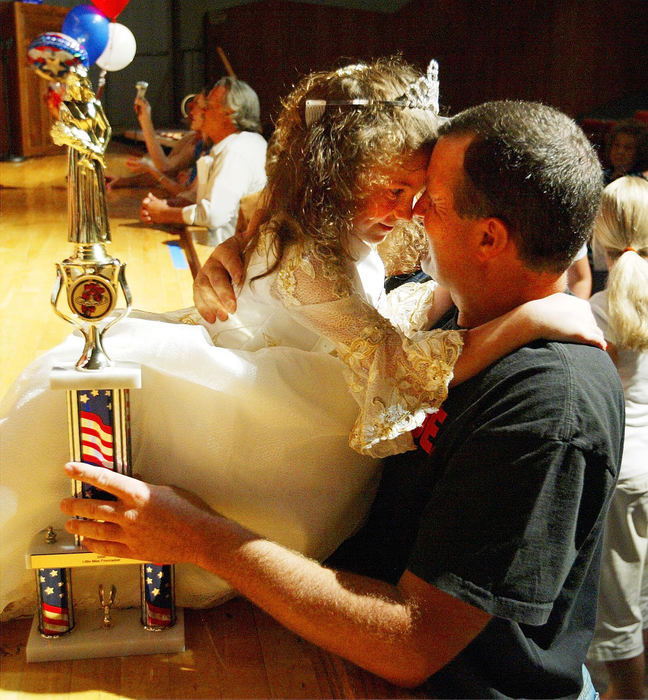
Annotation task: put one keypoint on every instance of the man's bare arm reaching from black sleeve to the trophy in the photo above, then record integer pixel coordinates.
(403, 633)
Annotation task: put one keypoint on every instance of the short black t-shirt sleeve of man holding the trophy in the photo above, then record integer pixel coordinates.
(508, 516)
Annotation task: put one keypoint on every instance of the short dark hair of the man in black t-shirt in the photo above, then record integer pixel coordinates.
(533, 167)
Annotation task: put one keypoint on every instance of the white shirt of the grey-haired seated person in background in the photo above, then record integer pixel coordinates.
(233, 168)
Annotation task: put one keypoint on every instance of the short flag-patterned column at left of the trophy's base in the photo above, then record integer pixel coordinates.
(55, 610)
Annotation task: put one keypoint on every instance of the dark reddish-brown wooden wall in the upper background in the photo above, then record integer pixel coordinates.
(574, 54)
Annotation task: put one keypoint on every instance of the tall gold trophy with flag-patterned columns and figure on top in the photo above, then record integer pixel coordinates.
(98, 392)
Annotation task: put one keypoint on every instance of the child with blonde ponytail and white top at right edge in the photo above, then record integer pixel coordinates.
(621, 230)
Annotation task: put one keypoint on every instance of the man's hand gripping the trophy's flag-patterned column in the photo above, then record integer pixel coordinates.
(146, 522)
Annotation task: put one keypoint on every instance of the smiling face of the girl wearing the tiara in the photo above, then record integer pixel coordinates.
(393, 201)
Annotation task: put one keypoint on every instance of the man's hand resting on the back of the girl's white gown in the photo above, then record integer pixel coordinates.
(214, 294)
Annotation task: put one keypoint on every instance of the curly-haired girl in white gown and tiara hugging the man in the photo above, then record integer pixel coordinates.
(259, 419)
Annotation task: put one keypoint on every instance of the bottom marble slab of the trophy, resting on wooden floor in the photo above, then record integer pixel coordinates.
(89, 639)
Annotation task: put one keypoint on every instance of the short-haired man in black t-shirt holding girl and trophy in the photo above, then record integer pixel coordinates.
(477, 570)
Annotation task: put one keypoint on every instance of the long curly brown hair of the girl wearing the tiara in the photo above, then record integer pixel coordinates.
(320, 175)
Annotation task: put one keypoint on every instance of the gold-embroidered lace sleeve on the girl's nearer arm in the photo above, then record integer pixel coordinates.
(397, 375)
